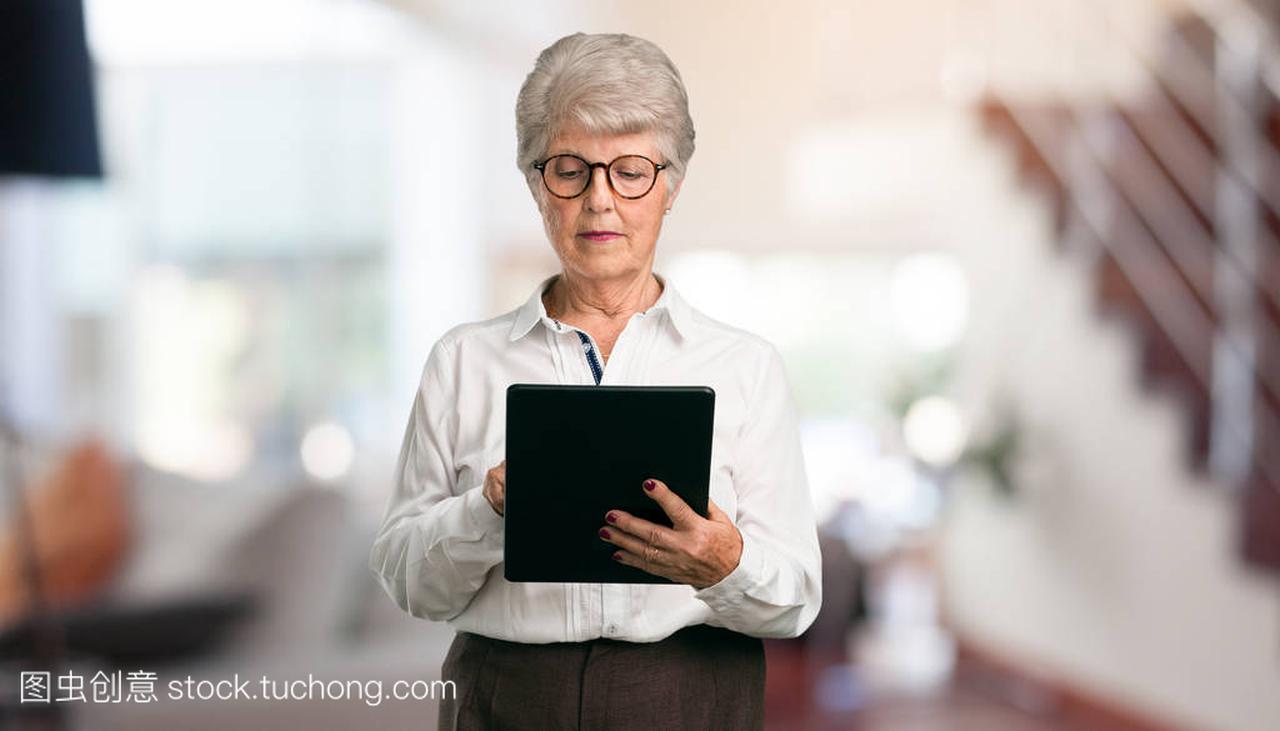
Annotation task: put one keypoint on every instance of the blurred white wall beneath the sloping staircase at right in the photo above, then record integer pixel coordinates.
(1117, 568)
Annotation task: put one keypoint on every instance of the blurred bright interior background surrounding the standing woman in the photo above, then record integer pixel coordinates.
(1021, 258)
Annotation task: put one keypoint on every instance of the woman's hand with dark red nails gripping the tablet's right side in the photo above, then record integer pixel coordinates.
(696, 551)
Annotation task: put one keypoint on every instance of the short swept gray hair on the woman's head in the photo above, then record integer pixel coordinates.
(609, 84)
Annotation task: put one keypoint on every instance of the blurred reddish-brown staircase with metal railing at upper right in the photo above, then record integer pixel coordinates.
(1174, 195)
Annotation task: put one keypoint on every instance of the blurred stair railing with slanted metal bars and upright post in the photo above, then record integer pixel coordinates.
(1156, 239)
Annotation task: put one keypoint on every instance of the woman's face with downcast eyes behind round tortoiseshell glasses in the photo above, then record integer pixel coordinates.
(601, 236)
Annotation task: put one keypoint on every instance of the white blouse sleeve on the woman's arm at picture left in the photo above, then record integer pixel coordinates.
(438, 540)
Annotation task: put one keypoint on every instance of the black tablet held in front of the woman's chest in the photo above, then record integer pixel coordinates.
(574, 453)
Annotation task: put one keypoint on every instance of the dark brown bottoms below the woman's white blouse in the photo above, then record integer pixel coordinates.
(700, 678)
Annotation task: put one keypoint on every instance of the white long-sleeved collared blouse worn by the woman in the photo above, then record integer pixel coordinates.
(438, 551)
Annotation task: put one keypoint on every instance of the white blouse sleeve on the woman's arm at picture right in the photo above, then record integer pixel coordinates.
(776, 588)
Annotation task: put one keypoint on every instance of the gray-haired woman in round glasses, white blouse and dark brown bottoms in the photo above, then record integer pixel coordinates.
(605, 139)
